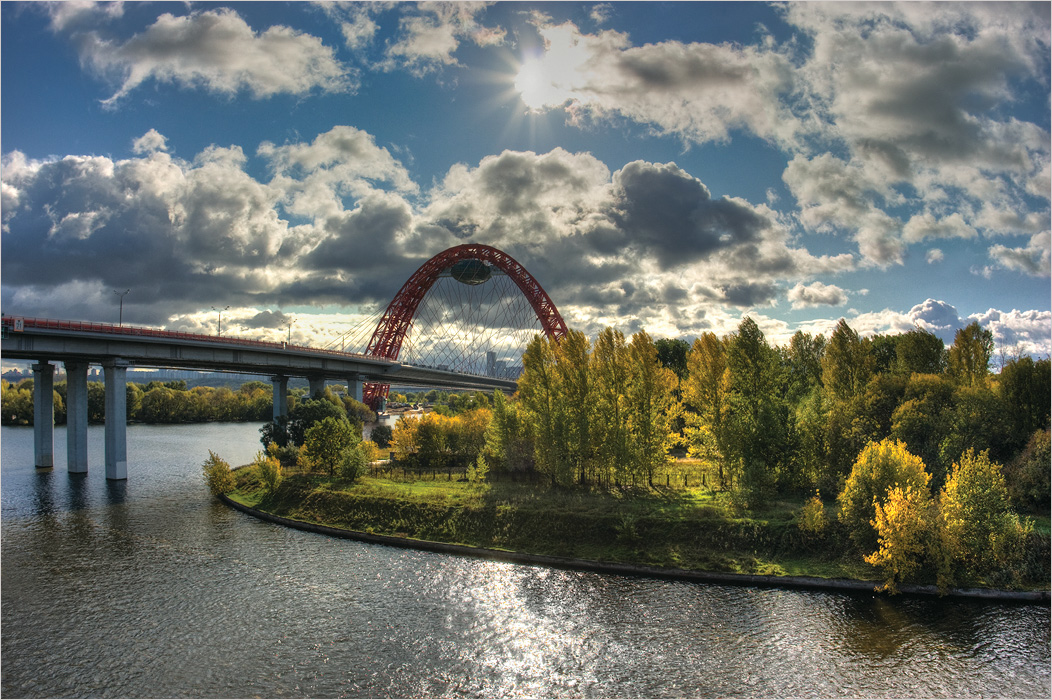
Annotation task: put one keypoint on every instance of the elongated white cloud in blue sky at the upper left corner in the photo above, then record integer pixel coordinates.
(218, 52)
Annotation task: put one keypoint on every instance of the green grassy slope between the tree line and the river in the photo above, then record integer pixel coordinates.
(691, 529)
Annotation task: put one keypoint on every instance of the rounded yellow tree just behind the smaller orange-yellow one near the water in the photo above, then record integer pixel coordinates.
(881, 467)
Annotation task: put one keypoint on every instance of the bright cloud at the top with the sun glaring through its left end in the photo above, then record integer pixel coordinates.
(697, 92)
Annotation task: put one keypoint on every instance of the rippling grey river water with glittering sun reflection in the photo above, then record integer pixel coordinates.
(151, 588)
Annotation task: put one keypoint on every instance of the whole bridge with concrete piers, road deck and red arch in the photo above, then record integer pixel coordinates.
(369, 375)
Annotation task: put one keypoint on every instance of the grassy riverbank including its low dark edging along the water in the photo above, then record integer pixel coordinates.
(673, 534)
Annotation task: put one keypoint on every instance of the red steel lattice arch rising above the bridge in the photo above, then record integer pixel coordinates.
(387, 342)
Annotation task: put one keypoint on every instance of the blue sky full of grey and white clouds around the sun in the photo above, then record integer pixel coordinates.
(673, 167)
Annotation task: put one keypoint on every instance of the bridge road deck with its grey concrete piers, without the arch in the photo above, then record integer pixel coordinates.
(117, 348)
